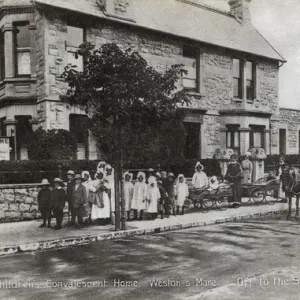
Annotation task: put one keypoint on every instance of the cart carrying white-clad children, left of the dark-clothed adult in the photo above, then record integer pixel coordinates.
(205, 198)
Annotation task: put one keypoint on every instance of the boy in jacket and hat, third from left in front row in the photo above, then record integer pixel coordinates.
(79, 200)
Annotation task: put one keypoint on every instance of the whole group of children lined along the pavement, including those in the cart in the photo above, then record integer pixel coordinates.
(94, 199)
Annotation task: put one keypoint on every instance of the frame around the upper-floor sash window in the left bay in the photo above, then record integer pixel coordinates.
(18, 50)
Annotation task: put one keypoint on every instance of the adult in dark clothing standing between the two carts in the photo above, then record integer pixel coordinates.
(234, 175)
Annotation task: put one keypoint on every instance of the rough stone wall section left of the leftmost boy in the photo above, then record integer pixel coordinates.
(18, 202)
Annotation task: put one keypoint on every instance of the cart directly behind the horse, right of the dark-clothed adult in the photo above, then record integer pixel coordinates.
(261, 190)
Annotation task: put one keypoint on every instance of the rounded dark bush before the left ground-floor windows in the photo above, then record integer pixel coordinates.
(51, 144)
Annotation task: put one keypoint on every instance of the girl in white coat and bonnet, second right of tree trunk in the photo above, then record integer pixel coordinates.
(139, 196)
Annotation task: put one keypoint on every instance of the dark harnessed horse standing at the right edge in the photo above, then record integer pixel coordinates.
(292, 189)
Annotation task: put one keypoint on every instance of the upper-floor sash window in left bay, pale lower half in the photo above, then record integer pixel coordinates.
(22, 49)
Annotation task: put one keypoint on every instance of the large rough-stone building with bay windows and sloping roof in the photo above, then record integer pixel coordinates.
(232, 69)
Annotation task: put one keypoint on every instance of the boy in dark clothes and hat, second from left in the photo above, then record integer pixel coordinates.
(58, 197)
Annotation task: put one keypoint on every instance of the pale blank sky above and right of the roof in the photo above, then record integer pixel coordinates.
(278, 21)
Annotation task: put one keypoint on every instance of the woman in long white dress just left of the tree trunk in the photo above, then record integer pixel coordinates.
(101, 203)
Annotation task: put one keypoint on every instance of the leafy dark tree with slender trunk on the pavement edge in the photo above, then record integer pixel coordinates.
(121, 92)
